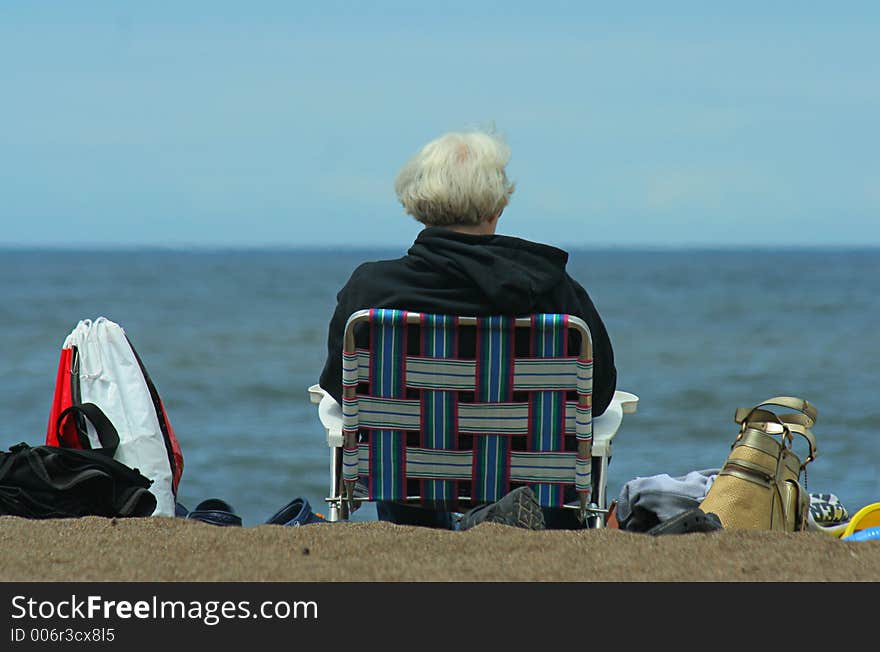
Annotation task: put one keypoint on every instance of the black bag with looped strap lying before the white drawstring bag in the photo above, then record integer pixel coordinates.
(57, 482)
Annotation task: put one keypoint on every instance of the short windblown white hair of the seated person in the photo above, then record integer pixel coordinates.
(458, 178)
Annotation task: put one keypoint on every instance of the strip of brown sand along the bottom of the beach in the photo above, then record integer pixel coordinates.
(175, 550)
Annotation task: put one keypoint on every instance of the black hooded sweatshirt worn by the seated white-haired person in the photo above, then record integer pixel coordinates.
(447, 272)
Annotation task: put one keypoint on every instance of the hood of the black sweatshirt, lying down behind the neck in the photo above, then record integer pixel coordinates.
(510, 272)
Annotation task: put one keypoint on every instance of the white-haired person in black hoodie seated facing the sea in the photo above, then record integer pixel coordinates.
(457, 187)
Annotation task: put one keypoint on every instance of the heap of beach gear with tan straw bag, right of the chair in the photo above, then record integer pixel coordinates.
(757, 488)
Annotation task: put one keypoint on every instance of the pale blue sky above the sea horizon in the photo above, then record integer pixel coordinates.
(284, 123)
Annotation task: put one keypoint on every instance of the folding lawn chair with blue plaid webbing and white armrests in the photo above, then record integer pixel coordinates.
(450, 412)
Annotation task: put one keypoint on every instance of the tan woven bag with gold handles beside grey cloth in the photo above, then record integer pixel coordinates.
(759, 488)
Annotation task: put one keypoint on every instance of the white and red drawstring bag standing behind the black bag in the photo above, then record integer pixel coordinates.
(100, 365)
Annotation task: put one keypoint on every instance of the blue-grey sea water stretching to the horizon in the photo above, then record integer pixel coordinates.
(233, 339)
